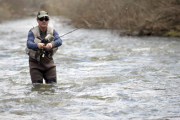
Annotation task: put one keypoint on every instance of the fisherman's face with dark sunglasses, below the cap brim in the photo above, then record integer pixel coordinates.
(43, 22)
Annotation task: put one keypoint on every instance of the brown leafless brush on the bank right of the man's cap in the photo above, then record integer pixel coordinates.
(131, 17)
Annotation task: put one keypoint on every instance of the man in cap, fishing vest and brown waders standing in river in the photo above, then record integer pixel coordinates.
(42, 43)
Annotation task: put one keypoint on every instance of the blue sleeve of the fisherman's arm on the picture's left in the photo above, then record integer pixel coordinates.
(30, 41)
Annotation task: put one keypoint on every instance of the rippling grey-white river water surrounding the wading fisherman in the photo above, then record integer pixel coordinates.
(101, 76)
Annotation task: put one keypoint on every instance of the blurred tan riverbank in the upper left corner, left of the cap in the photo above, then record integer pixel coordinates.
(13, 9)
